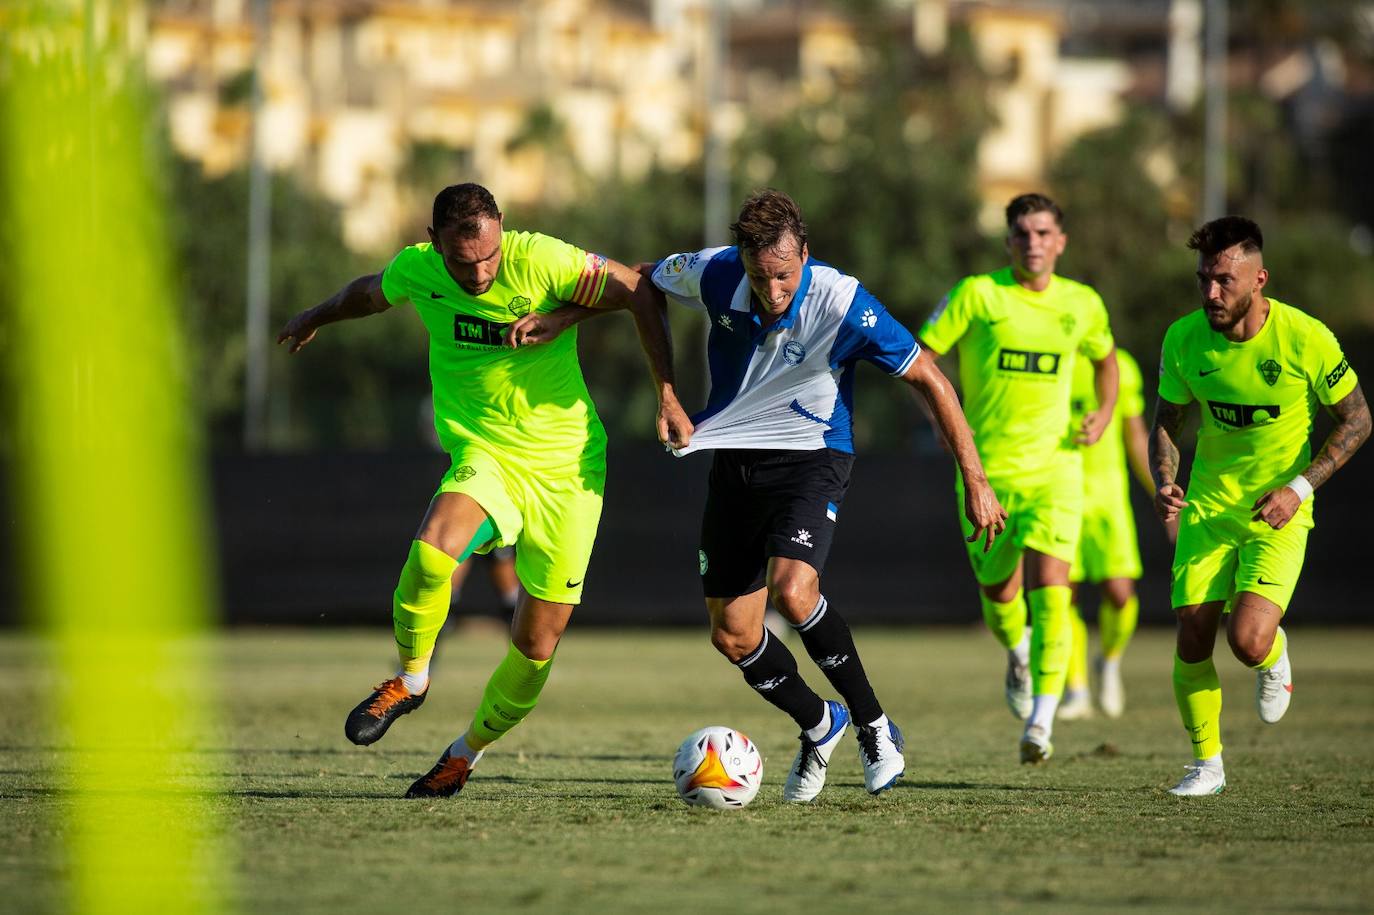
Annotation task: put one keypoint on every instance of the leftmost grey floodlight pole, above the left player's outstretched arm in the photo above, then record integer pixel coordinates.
(260, 251)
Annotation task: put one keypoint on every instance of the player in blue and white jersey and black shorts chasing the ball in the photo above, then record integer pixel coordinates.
(787, 336)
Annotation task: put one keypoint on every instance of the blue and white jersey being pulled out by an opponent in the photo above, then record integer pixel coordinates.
(788, 387)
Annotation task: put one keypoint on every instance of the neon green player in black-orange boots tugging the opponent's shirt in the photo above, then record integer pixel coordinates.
(528, 450)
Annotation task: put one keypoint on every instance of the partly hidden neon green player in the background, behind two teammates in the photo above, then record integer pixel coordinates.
(1110, 554)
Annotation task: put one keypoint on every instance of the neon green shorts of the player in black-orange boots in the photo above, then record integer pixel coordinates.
(550, 521)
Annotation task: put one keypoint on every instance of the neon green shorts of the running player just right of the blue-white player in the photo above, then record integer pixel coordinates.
(1044, 516)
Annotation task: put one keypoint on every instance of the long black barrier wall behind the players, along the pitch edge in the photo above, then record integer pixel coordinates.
(319, 539)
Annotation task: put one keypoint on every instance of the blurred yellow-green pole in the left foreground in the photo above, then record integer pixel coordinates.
(108, 469)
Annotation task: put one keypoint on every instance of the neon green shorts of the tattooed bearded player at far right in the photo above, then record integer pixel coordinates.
(1221, 554)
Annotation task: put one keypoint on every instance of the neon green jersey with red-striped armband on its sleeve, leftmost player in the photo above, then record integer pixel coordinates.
(530, 405)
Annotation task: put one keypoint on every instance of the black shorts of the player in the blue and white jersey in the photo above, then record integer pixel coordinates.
(769, 504)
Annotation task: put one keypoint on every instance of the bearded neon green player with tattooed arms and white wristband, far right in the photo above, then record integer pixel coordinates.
(1258, 369)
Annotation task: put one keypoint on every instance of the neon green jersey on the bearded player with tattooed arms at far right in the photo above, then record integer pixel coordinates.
(1258, 402)
